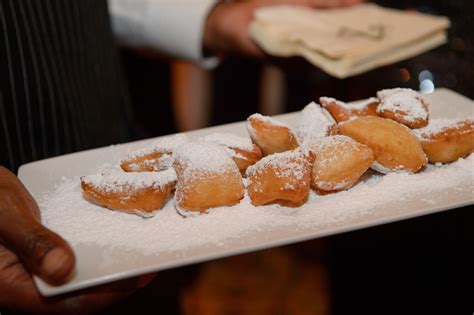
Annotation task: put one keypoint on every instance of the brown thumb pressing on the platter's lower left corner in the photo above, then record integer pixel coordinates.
(41, 251)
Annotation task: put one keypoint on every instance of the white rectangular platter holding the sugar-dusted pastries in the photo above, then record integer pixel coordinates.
(100, 261)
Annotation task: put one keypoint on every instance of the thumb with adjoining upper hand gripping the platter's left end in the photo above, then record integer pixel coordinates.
(41, 251)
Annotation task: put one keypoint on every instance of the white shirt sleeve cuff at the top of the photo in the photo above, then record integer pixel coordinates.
(174, 27)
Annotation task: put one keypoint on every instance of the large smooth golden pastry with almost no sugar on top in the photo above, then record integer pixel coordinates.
(395, 147)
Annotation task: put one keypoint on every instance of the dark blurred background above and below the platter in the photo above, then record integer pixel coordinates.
(419, 265)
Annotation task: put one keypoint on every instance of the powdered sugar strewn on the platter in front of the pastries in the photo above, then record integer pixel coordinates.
(80, 222)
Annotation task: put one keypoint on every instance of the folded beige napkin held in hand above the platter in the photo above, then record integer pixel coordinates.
(347, 41)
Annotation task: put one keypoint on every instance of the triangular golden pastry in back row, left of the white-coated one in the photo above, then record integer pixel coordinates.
(270, 135)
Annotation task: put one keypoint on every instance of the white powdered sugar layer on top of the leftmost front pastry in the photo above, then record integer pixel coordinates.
(118, 181)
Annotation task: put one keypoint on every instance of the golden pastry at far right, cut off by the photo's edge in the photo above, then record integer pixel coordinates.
(446, 141)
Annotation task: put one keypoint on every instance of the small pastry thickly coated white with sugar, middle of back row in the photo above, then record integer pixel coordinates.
(315, 122)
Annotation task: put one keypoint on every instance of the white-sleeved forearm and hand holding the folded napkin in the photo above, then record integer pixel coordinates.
(186, 28)
